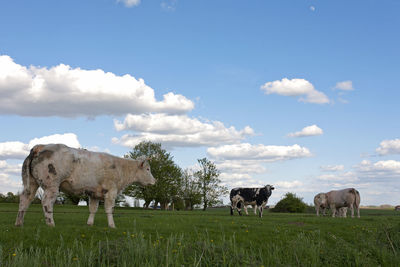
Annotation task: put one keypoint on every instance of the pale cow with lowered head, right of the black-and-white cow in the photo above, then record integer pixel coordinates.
(336, 199)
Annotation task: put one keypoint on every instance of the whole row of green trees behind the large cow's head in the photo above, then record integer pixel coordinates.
(181, 189)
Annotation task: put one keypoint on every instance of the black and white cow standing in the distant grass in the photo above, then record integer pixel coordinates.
(257, 197)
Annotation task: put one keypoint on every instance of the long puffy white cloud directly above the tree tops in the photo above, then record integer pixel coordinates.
(177, 131)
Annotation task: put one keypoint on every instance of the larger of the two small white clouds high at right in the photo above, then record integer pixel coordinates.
(296, 87)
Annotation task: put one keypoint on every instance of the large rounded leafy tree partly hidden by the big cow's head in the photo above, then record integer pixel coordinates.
(165, 171)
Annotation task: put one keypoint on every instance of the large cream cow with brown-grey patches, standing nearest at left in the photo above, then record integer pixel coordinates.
(57, 167)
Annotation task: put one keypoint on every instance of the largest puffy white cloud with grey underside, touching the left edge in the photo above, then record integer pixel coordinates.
(70, 92)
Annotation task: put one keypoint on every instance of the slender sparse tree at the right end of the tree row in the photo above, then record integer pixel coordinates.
(209, 182)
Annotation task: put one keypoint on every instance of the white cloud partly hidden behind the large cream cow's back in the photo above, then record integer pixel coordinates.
(19, 150)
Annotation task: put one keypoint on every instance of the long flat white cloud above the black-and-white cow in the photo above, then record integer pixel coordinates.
(246, 151)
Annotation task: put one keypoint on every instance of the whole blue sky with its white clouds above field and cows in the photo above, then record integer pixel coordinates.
(299, 94)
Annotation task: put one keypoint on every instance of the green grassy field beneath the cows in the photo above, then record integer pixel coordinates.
(197, 238)
